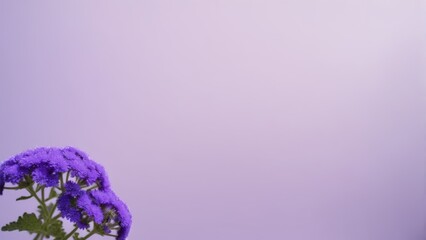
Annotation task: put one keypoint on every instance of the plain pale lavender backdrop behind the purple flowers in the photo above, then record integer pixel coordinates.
(229, 119)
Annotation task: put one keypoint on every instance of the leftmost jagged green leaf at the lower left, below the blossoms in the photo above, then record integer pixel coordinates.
(26, 222)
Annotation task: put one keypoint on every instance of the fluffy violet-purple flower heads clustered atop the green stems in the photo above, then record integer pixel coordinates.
(46, 165)
